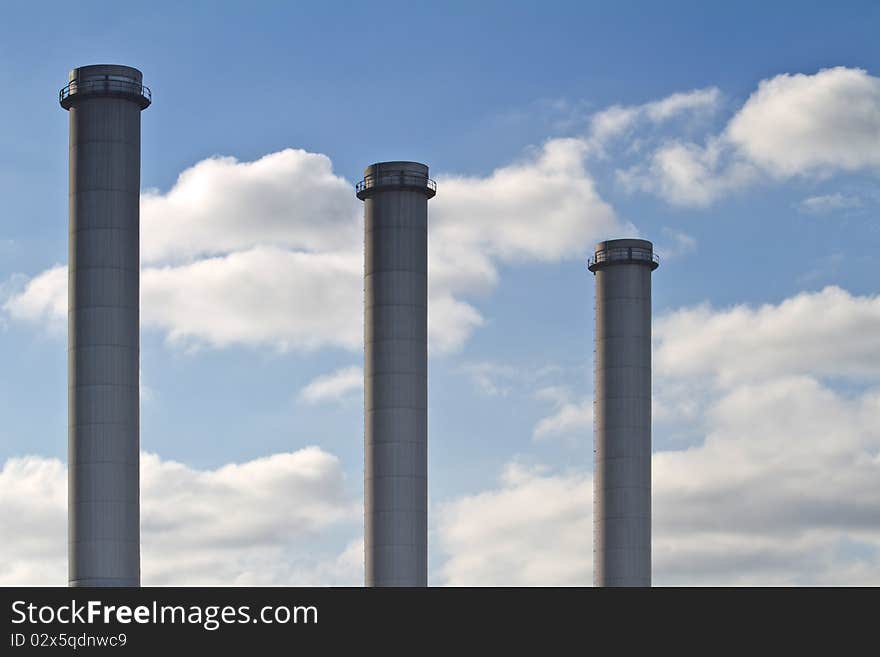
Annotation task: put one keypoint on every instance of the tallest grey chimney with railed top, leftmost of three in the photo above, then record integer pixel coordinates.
(105, 103)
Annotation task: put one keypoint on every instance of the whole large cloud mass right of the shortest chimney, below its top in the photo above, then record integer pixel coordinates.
(780, 485)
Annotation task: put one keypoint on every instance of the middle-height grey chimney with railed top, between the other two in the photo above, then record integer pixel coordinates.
(395, 196)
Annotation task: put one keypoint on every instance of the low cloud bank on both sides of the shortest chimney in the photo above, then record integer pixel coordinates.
(778, 484)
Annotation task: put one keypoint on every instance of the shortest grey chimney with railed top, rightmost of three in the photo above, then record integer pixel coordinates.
(622, 413)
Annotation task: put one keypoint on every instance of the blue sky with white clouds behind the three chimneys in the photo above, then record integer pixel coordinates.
(745, 142)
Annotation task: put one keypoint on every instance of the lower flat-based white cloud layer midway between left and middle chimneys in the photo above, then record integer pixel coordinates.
(263, 296)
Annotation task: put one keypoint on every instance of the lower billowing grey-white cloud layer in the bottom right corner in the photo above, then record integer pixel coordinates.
(784, 481)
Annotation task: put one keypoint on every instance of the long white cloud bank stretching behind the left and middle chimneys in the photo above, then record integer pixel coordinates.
(269, 252)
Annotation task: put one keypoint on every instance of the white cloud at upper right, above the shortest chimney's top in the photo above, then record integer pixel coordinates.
(792, 125)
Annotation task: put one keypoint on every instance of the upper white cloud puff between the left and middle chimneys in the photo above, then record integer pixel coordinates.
(290, 199)
